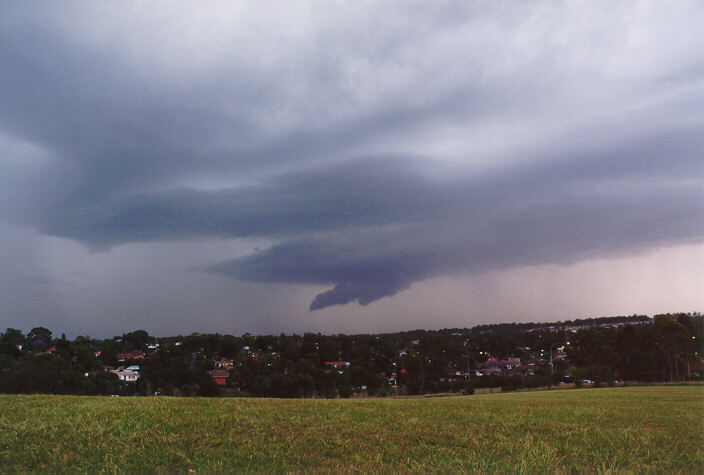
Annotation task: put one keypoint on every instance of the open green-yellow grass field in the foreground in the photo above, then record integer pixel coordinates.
(633, 428)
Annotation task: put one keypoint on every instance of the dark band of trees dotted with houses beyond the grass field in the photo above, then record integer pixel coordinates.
(604, 350)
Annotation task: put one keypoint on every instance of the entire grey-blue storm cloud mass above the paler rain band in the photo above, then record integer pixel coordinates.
(488, 138)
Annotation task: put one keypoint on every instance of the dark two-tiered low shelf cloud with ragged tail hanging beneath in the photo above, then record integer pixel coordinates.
(372, 226)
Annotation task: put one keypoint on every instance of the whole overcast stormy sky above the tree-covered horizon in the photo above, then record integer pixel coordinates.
(347, 166)
